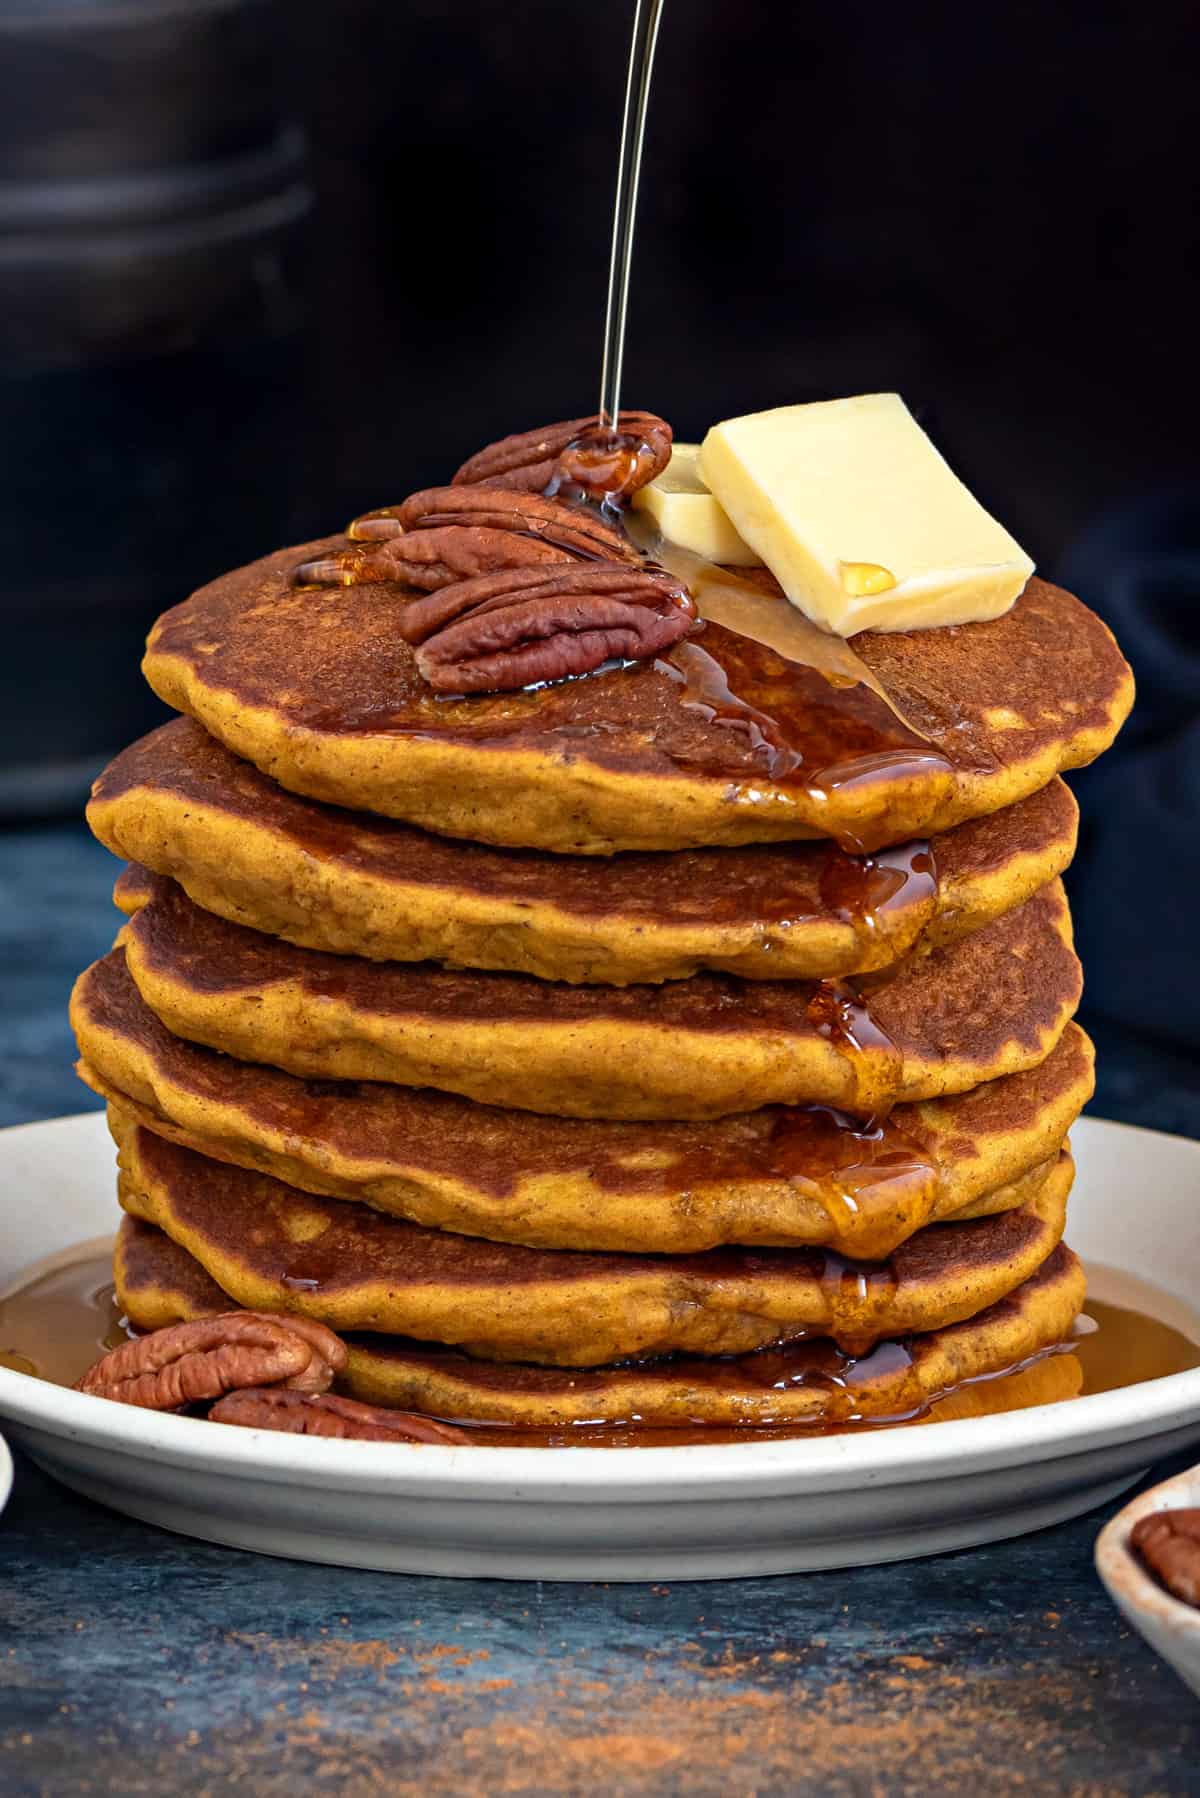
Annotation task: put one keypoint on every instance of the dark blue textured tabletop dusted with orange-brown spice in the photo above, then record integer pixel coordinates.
(136, 1662)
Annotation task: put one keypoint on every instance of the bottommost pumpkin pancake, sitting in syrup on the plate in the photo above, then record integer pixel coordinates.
(803, 1384)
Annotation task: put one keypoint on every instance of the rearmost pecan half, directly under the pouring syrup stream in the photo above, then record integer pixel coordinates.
(539, 461)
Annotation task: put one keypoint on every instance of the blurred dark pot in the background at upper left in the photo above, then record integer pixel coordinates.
(152, 352)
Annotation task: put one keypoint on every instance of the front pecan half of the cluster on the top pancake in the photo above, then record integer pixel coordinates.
(519, 628)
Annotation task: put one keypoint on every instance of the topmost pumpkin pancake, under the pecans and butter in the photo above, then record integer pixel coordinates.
(318, 688)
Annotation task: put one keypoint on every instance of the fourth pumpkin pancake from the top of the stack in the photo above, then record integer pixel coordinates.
(776, 1179)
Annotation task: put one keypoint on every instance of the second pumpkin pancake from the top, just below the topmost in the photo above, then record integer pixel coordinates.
(363, 886)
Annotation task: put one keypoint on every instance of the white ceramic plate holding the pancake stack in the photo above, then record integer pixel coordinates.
(625, 1515)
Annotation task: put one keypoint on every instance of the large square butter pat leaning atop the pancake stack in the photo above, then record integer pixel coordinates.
(859, 519)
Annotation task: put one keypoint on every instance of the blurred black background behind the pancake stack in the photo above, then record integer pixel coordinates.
(264, 267)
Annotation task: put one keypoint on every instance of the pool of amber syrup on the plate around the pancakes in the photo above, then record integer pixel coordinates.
(58, 1324)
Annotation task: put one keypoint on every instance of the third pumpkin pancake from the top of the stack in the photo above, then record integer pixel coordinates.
(992, 1004)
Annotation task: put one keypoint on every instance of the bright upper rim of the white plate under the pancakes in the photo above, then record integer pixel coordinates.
(578, 1475)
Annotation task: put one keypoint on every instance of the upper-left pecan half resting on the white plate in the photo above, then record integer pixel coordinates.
(190, 1364)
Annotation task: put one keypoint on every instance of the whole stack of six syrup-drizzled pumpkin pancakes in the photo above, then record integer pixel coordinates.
(686, 1047)
